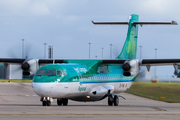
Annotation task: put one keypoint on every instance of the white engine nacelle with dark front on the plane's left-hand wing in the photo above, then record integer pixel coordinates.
(30, 67)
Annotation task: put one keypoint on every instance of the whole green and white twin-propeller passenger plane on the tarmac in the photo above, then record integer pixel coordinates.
(88, 79)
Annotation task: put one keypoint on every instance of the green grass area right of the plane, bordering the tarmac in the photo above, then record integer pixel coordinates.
(171, 91)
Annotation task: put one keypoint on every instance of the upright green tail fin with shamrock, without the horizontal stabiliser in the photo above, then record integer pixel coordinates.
(130, 45)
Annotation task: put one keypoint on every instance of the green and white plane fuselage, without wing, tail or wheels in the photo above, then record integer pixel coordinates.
(77, 82)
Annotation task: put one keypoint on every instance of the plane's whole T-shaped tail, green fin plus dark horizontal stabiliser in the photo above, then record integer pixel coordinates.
(130, 45)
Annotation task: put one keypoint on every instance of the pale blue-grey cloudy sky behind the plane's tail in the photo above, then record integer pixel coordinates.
(66, 24)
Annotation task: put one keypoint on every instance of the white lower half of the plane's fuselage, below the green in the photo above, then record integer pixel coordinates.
(77, 91)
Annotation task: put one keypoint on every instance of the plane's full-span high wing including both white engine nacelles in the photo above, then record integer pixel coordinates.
(130, 66)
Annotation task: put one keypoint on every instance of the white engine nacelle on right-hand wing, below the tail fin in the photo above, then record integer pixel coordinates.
(131, 67)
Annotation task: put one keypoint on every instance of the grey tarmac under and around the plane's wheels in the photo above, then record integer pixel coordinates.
(19, 102)
